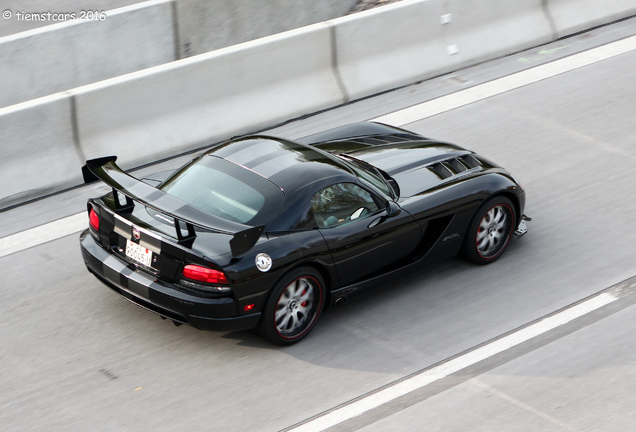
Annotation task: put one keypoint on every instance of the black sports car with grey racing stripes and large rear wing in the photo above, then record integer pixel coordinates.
(262, 232)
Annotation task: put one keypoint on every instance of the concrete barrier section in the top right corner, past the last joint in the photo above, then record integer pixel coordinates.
(571, 16)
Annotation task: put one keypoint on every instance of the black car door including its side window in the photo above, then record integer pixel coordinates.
(362, 238)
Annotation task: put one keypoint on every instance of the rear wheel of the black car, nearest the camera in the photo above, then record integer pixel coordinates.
(293, 307)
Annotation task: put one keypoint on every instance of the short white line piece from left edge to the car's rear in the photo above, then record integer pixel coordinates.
(43, 233)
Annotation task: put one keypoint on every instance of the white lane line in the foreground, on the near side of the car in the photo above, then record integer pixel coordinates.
(429, 376)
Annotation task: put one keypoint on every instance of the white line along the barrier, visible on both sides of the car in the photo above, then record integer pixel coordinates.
(48, 232)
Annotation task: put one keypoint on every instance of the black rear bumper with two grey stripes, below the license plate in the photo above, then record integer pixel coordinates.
(144, 290)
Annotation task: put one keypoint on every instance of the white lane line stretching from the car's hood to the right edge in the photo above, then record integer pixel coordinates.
(507, 83)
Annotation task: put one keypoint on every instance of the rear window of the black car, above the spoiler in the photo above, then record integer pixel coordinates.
(226, 190)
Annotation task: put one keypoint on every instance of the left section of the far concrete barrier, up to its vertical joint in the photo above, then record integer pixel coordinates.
(59, 57)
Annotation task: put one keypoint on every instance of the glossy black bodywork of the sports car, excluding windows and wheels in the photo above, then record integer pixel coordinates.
(426, 223)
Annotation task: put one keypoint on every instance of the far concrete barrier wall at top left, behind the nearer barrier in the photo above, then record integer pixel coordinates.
(73, 53)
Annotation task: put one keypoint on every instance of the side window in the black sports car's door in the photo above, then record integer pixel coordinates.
(341, 203)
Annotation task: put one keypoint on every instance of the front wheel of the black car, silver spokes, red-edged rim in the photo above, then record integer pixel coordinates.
(490, 230)
